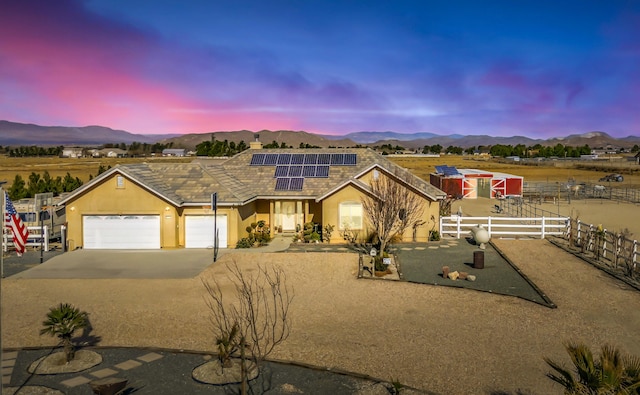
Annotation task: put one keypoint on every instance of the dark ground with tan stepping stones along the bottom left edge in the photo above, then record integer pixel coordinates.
(167, 372)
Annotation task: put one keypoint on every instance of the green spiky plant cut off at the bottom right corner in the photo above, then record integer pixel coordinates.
(612, 373)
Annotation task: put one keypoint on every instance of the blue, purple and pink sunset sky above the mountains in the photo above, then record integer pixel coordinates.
(502, 68)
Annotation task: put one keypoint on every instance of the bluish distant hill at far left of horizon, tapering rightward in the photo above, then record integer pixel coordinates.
(16, 134)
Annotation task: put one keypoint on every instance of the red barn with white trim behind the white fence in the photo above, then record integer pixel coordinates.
(474, 183)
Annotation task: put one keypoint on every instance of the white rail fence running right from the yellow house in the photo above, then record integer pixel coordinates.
(537, 227)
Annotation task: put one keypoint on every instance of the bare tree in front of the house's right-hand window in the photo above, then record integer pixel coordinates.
(391, 209)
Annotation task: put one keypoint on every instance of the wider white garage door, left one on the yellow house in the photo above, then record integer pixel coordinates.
(124, 232)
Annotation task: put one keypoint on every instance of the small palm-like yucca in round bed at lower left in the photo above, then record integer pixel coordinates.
(62, 321)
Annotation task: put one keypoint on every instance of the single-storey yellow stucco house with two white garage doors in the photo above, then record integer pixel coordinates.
(168, 205)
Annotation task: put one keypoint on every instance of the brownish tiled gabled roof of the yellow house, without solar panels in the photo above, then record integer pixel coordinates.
(238, 182)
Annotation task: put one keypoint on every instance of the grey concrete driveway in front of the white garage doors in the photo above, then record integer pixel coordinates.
(137, 264)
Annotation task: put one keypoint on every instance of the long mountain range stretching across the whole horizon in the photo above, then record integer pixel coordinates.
(20, 134)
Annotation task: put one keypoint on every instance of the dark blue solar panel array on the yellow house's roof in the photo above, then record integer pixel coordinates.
(292, 169)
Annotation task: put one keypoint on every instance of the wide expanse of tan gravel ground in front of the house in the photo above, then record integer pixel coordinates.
(440, 339)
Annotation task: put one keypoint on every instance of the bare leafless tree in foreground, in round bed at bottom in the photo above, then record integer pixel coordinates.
(256, 318)
